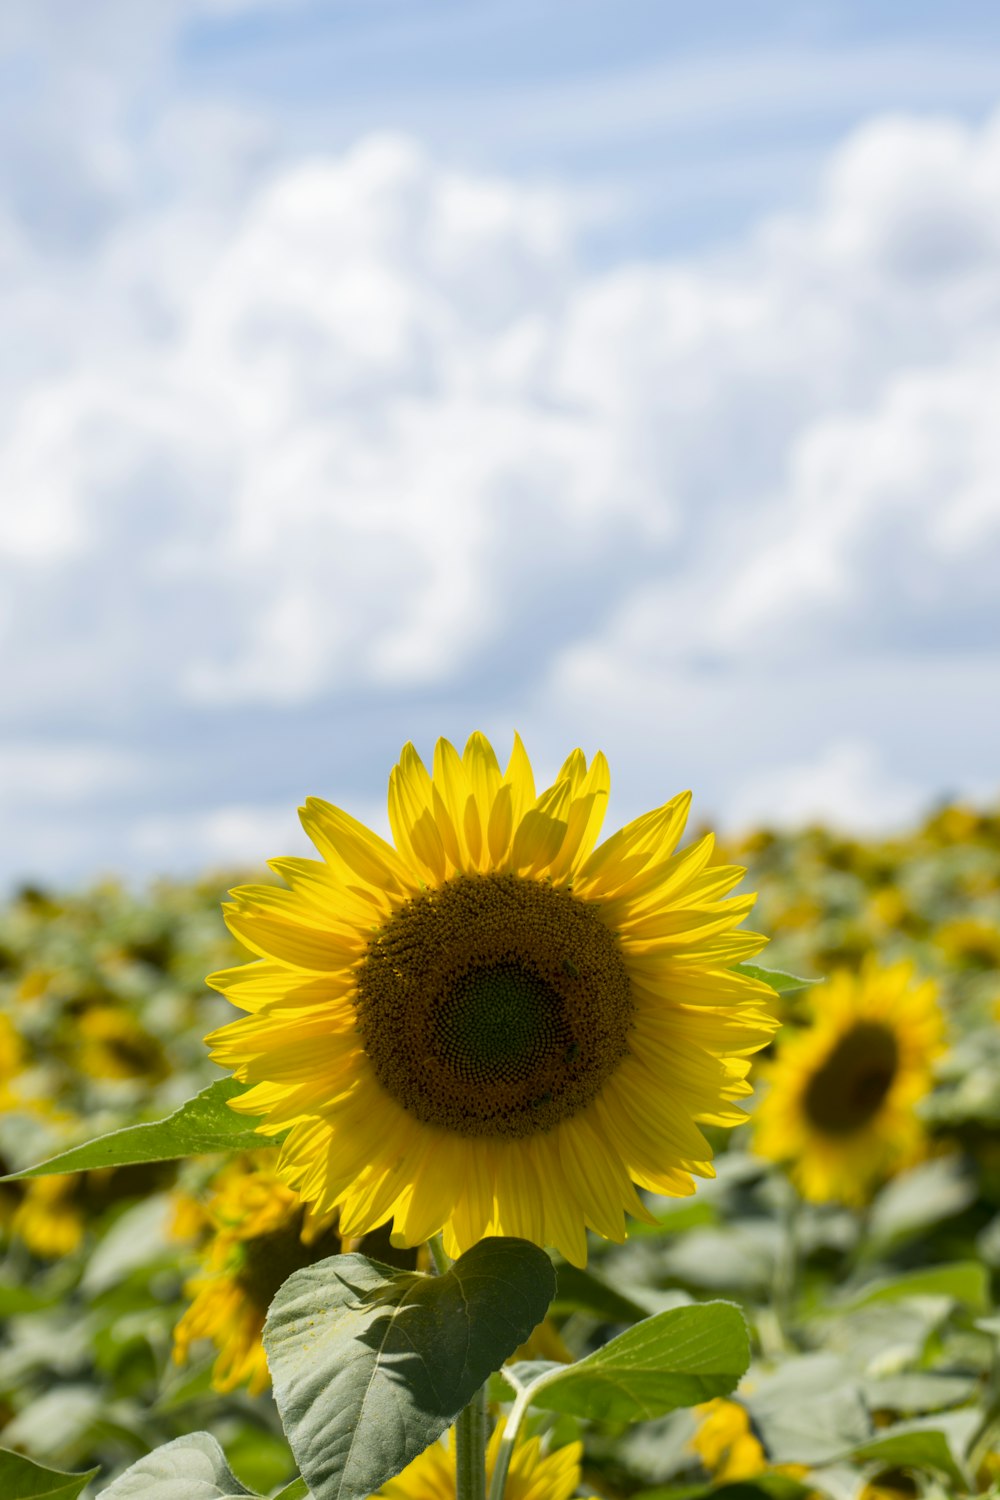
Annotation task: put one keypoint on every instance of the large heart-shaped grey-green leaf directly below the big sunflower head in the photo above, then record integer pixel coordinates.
(371, 1366)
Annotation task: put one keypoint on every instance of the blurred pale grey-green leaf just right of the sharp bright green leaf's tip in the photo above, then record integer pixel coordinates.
(809, 1412)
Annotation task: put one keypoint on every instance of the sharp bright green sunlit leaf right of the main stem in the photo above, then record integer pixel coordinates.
(668, 1361)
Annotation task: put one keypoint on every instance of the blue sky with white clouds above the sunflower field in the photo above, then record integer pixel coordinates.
(383, 370)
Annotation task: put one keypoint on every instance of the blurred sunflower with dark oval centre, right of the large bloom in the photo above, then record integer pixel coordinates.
(843, 1093)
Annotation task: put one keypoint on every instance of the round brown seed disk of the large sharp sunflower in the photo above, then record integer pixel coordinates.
(494, 1006)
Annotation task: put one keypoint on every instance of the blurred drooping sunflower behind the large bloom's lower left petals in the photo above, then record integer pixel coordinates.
(260, 1234)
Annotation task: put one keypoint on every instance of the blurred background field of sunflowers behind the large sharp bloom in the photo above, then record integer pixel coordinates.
(855, 1219)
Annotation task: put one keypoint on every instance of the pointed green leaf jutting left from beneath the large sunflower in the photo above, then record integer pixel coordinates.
(203, 1124)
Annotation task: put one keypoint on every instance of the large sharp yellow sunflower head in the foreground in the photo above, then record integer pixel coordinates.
(494, 1028)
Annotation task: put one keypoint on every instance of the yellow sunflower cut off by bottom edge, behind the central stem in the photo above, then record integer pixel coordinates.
(533, 1475)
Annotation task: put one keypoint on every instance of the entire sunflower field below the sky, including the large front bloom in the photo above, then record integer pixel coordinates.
(816, 1319)
